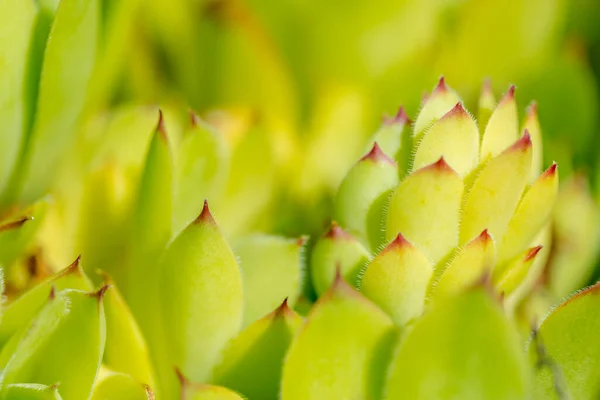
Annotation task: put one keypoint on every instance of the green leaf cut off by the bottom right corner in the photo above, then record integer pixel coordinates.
(567, 350)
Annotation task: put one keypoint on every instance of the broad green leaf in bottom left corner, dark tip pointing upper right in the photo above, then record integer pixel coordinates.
(72, 323)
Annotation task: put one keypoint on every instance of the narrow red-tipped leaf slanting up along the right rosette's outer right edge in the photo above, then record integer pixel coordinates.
(531, 215)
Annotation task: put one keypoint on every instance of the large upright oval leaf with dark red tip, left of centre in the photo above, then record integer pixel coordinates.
(201, 297)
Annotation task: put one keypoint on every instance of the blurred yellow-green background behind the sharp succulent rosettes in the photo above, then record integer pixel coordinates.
(297, 87)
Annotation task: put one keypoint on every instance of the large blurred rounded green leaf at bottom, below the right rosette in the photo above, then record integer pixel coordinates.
(464, 348)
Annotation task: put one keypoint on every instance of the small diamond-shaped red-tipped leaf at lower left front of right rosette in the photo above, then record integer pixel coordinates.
(396, 280)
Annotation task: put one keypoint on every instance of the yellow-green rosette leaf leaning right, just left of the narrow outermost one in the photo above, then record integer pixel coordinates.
(496, 192)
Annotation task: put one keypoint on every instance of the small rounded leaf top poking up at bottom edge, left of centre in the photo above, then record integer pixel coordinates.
(119, 386)
